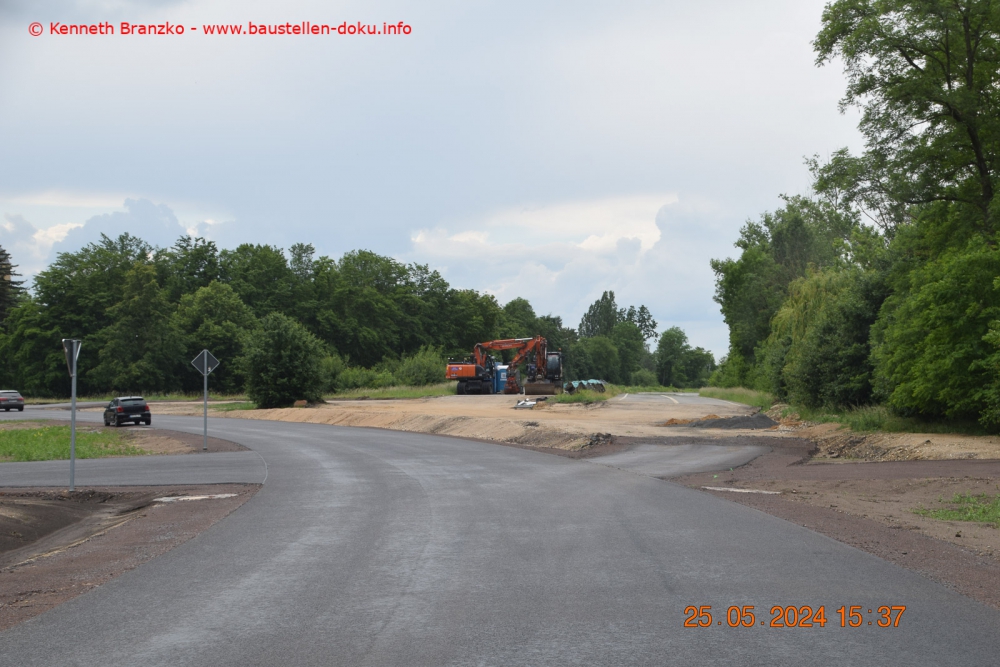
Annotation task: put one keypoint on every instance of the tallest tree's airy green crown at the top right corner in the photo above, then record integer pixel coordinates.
(924, 74)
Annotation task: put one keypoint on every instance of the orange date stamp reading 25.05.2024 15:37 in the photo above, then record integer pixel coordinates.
(791, 616)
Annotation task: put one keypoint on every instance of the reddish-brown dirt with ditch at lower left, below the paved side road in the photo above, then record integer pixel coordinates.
(55, 545)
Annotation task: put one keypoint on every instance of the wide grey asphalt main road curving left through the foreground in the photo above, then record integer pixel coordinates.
(369, 547)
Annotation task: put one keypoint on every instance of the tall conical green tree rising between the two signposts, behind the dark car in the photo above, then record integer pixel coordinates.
(142, 351)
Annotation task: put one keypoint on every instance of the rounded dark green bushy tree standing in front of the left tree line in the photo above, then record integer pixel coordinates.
(282, 363)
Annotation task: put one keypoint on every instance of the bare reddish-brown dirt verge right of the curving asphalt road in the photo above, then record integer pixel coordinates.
(870, 505)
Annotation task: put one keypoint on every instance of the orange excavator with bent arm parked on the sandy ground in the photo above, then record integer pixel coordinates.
(479, 374)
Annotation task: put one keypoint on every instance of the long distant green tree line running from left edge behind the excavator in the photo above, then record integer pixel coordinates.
(287, 325)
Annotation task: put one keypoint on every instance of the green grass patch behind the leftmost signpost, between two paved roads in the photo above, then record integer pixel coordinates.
(51, 443)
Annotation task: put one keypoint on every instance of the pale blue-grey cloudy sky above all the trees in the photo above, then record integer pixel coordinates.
(550, 151)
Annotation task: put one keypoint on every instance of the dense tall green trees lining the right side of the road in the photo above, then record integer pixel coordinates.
(884, 285)
